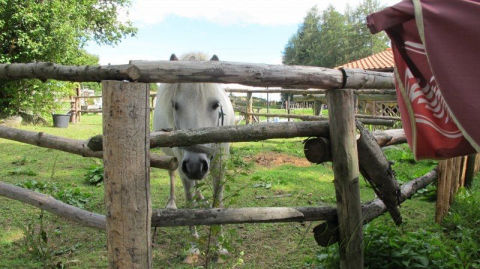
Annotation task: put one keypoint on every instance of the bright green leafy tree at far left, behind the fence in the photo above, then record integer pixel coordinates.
(52, 31)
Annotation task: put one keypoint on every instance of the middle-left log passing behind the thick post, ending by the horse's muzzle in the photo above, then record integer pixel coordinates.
(74, 146)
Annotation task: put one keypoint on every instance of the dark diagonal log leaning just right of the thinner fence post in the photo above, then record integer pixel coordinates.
(377, 170)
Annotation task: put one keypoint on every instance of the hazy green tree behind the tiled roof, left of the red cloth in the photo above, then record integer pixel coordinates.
(330, 39)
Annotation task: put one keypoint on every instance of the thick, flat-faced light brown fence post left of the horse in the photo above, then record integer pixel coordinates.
(126, 132)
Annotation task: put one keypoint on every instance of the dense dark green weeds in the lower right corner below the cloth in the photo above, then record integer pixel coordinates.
(387, 246)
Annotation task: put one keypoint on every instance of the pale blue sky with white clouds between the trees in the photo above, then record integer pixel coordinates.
(254, 31)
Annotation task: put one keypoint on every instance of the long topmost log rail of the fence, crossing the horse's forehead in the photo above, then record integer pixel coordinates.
(210, 71)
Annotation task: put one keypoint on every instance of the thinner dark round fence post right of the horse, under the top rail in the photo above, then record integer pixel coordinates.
(346, 173)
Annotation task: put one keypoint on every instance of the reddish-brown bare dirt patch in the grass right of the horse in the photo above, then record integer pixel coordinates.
(271, 159)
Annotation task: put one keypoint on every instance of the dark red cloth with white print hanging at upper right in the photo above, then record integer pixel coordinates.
(436, 50)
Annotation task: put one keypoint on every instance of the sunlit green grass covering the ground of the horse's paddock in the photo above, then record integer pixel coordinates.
(287, 245)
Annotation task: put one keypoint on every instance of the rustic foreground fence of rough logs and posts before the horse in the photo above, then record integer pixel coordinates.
(127, 155)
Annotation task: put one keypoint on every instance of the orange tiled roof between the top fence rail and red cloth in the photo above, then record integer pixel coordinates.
(382, 61)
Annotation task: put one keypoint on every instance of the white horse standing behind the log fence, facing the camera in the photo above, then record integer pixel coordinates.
(190, 106)
